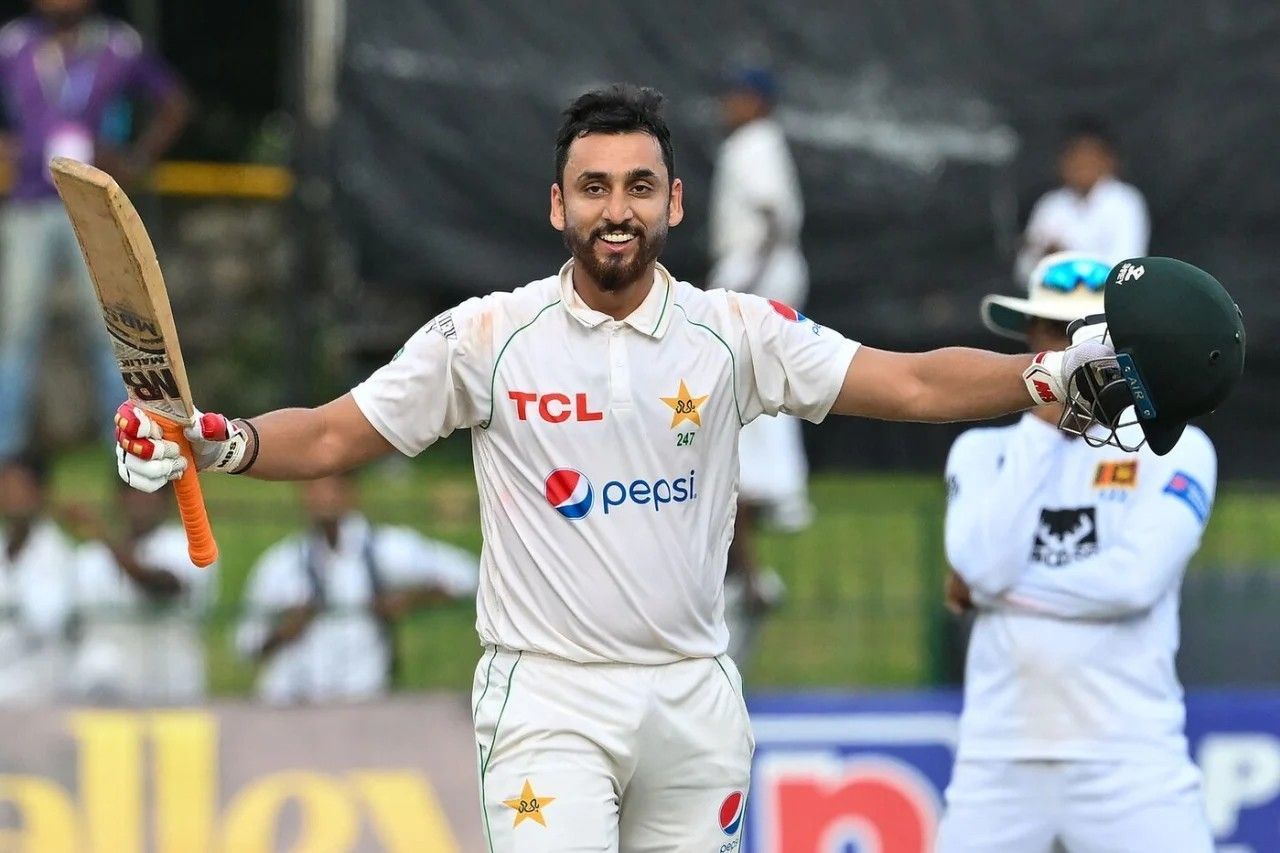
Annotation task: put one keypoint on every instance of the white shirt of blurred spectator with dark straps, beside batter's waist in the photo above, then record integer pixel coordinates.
(342, 655)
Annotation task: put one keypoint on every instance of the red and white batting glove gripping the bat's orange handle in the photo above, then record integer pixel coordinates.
(147, 460)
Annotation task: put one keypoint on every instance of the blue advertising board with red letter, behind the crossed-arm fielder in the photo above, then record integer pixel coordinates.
(852, 774)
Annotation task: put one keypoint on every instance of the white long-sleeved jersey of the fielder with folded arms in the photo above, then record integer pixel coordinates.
(1076, 558)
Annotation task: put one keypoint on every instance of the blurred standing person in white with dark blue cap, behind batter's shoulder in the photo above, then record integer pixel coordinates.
(756, 217)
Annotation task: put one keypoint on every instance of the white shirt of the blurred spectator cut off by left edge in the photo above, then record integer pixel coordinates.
(35, 605)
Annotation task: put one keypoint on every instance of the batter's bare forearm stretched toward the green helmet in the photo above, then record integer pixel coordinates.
(941, 386)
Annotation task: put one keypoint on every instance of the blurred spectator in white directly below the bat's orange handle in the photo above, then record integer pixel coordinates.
(141, 604)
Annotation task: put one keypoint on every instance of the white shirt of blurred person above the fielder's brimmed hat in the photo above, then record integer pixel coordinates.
(1110, 222)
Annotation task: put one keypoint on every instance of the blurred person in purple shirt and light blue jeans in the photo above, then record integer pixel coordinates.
(65, 72)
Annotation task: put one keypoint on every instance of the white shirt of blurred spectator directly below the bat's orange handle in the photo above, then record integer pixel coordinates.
(136, 647)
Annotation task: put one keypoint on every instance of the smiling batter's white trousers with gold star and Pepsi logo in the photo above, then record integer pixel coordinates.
(611, 758)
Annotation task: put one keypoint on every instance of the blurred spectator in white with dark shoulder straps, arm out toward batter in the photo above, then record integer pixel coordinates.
(322, 605)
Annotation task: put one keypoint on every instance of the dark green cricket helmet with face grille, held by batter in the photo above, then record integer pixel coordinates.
(1180, 343)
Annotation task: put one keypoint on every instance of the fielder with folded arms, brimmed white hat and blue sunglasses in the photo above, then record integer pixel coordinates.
(1072, 558)
